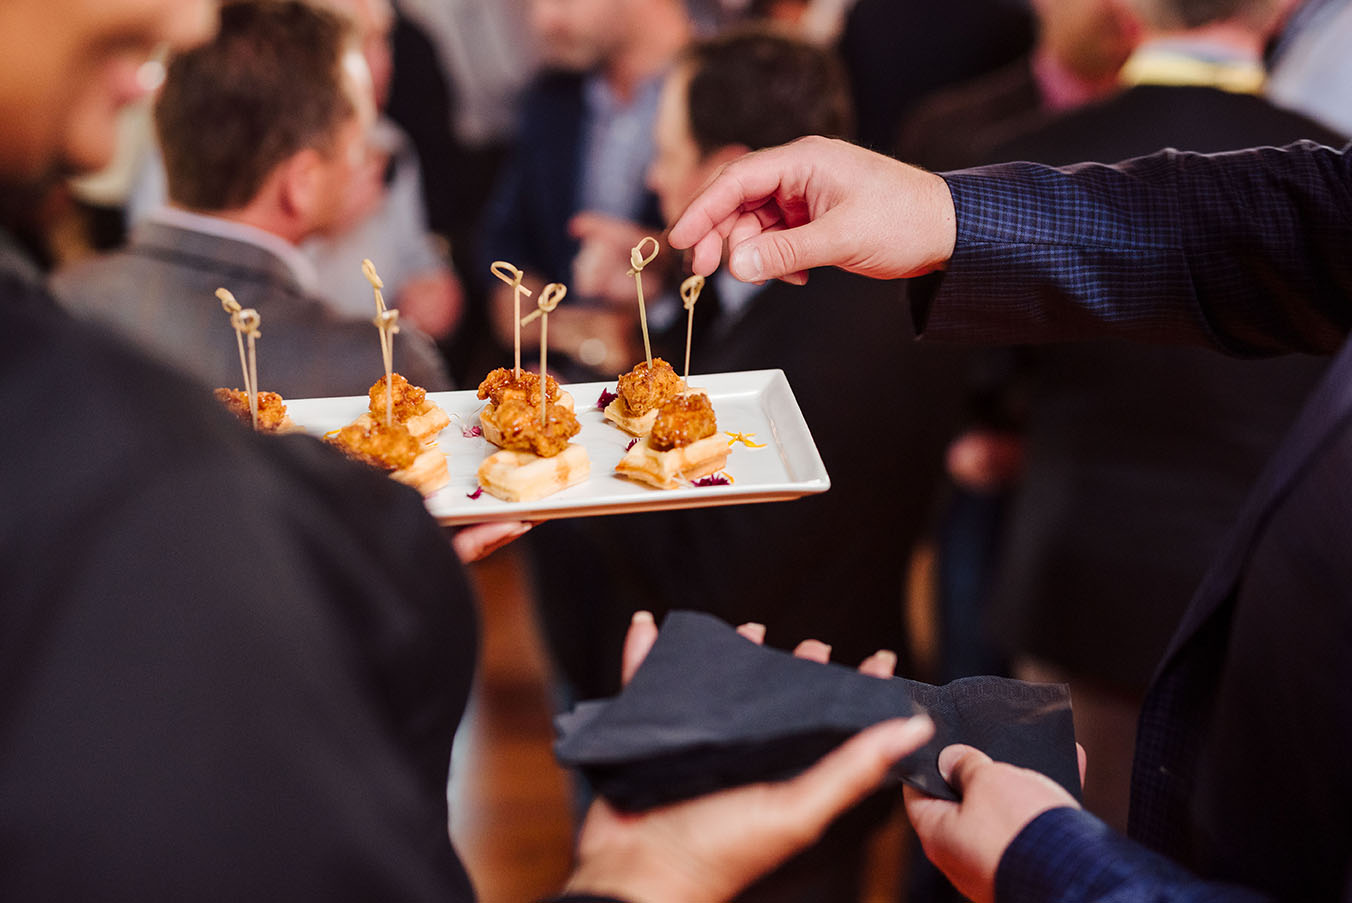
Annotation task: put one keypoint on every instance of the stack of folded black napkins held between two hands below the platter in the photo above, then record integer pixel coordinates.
(710, 710)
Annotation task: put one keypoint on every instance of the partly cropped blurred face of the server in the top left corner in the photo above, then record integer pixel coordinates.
(70, 67)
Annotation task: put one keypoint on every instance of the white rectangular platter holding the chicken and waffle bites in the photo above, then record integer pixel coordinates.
(752, 404)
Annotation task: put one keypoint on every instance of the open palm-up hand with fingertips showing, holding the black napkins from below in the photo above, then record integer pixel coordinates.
(710, 848)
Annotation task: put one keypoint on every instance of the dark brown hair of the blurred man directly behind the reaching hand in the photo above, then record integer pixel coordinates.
(760, 89)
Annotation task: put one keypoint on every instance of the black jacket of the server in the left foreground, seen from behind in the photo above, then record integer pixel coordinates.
(231, 666)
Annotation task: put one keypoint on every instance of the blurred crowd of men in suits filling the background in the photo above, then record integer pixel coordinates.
(1059, 504)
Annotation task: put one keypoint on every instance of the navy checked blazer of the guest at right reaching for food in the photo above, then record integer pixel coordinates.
(1242, 766)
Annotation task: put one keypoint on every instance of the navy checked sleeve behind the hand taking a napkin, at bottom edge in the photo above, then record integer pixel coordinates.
(1069, 856)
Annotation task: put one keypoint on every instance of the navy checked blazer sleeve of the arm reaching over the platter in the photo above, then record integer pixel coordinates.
(1249, 252)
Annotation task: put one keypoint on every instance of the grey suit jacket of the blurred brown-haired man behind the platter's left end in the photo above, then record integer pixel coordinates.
(160, 293)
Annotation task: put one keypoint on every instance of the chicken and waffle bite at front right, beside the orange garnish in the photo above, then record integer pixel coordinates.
(683, 445)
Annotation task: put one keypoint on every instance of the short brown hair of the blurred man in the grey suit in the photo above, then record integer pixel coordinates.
(266, 89)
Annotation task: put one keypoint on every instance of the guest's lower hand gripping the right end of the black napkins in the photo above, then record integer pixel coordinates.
(967, 840)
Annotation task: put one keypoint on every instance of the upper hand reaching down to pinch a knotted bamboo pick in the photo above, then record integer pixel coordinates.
(819, 202)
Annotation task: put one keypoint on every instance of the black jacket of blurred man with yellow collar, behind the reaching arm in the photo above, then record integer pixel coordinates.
(1139, 458)
